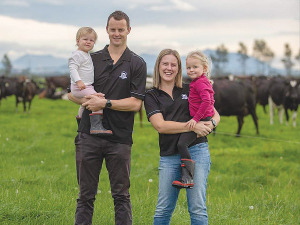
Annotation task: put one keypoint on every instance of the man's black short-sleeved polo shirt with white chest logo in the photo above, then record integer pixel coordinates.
(126, 78)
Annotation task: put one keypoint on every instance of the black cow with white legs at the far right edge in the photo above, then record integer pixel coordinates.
(284, 95)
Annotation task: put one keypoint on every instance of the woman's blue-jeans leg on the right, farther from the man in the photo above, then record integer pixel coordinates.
(197, 196)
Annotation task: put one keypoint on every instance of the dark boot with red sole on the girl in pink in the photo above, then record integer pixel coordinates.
(187, 174)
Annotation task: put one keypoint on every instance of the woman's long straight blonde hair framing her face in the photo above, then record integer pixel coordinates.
(156, 75)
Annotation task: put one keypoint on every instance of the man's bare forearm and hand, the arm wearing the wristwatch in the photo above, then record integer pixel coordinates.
(95, 103)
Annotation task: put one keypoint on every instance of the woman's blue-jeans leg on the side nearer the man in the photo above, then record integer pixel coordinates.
(169, 170)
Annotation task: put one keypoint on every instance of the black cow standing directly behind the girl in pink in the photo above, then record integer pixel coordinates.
(235, 98)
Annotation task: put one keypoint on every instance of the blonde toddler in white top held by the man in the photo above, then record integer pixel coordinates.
(82, 76)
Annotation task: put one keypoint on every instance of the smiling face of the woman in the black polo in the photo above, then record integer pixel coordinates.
(168, 68)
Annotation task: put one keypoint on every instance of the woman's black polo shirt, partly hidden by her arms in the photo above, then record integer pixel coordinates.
(176, 109)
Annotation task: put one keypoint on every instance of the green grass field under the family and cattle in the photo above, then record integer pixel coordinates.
(253, 180)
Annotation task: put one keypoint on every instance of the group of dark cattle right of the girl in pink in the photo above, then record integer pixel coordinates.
(240, 95)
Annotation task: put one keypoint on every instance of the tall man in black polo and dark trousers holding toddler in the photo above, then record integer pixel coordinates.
(120, 75)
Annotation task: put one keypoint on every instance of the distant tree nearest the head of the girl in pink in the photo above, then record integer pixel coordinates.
(220, 59)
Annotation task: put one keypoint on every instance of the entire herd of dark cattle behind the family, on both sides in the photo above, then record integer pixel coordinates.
(234, 96)
